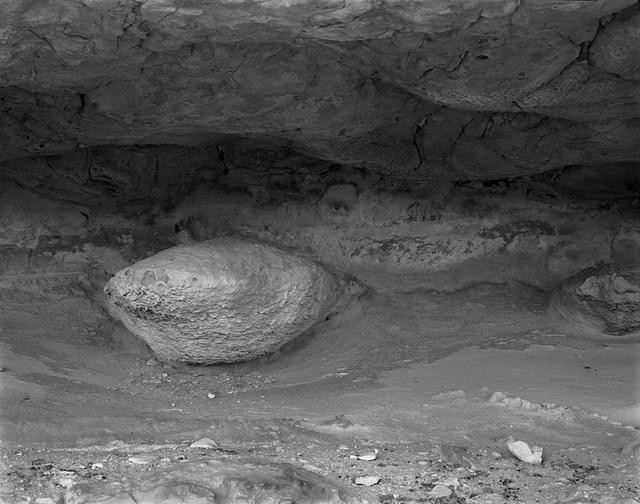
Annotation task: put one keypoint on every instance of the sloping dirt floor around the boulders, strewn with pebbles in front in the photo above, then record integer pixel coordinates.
(430, 387)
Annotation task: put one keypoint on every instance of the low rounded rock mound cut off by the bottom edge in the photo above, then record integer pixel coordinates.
(219, 482)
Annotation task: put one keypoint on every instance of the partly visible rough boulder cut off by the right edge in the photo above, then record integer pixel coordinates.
(606, 298)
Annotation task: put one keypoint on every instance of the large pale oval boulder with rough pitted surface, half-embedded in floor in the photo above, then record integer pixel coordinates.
(221, 300)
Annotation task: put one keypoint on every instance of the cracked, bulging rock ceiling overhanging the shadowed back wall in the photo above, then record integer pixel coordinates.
(447, 89)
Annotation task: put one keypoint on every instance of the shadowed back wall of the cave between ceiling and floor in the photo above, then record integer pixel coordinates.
(523, 230)
